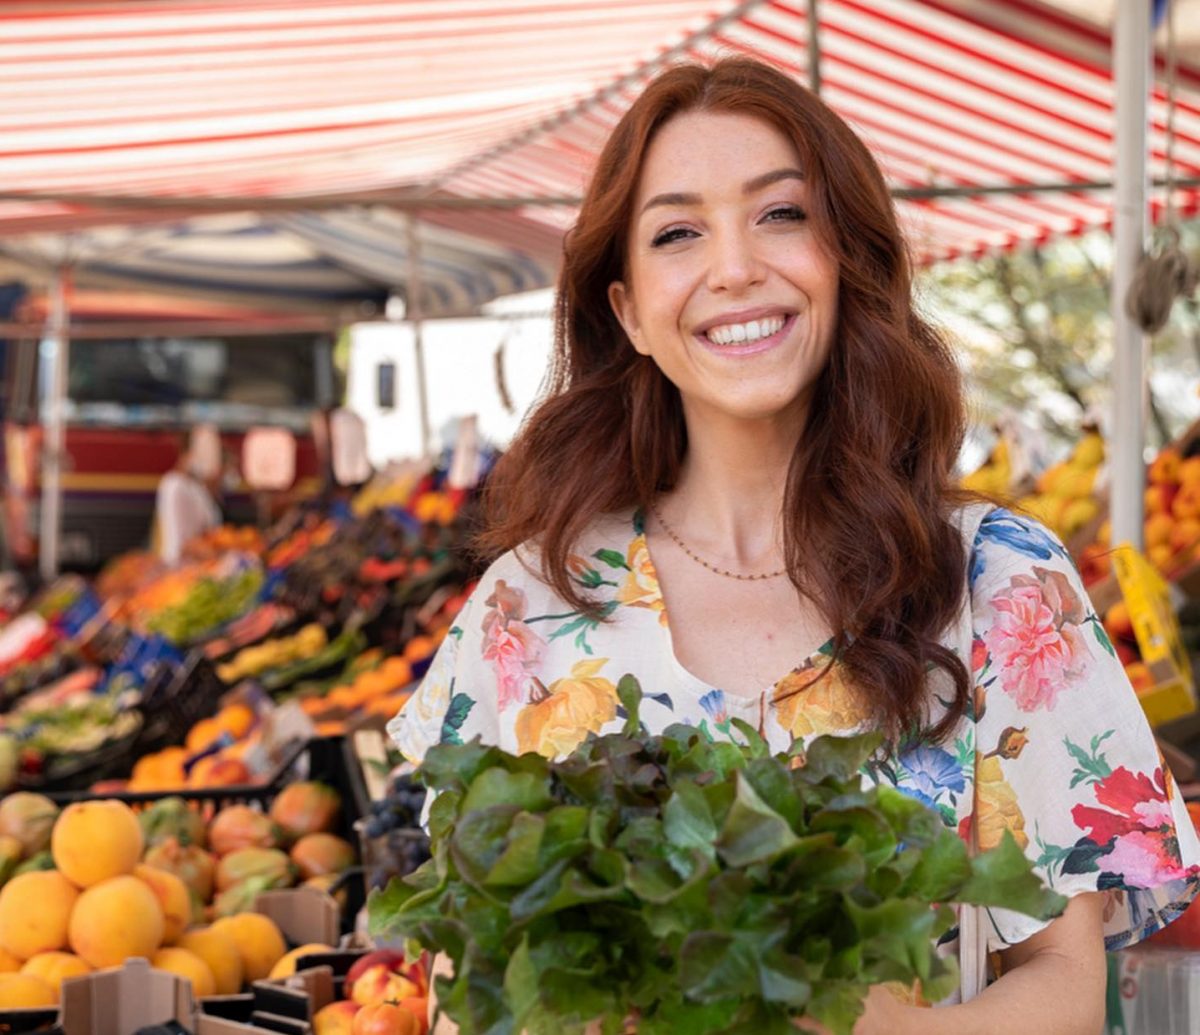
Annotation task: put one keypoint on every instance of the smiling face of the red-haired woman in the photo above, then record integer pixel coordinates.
(728, 288)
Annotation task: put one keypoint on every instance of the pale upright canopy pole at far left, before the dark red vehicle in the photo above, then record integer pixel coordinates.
(55, 446)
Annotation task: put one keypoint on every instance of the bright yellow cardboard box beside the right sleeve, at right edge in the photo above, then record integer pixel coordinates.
(1157, 631)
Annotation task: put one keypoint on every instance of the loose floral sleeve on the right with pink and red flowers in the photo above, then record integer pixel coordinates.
(1065, 758)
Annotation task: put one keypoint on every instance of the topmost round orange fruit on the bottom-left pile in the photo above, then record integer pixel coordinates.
(95, 841)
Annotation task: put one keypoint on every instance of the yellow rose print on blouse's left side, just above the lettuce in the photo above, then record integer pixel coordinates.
(560, 717)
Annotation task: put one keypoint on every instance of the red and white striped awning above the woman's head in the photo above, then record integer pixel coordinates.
(159, 111)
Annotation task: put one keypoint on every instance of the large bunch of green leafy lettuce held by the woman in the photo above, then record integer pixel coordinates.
(713, 888)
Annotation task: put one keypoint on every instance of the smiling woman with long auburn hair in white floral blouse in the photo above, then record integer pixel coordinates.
(741, 490)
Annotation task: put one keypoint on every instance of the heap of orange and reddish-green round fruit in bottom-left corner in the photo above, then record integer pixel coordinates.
(167, 884)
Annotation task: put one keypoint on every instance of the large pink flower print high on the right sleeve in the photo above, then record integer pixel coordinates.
(1036, 651)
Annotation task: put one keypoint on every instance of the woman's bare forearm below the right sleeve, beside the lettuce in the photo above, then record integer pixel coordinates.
(1053, 983)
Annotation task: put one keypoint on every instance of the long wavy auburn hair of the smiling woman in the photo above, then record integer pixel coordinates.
(867, 508)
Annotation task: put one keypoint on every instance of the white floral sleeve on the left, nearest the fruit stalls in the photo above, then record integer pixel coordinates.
(452, 705)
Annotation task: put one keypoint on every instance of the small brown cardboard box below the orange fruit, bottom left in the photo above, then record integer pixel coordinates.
(122, 1001)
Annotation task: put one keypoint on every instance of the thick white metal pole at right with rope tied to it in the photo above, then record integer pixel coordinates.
(1131, 69)
